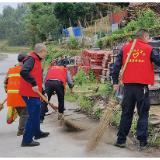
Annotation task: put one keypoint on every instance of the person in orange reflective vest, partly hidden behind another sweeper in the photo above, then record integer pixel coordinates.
(11, 85)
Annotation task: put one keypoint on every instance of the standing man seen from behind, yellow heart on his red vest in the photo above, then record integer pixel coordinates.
(138, 74)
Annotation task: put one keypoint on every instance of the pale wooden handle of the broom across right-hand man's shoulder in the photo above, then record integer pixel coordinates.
(127, 60)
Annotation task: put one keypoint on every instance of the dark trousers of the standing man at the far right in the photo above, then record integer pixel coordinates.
(132, 94)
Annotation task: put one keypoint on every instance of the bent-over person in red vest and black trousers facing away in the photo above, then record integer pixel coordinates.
(55, 81)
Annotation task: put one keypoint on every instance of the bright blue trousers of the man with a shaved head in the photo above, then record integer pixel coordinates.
(32, 127)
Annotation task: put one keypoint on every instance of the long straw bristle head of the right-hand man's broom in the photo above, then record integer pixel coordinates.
(100, 128)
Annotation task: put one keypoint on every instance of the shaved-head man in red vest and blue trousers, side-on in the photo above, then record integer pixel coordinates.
(30, 83)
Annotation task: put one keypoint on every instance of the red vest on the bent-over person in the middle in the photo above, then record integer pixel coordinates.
(57, 72)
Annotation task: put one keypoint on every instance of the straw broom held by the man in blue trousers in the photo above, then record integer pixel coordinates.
(64, 121)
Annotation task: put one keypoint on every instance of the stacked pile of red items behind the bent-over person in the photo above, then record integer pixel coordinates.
(97, 60)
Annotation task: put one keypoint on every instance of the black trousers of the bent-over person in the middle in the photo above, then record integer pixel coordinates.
(50, 87)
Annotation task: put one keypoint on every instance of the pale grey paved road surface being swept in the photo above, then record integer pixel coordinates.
(61, 143)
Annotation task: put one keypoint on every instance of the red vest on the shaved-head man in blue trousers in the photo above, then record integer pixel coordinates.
(25, 87)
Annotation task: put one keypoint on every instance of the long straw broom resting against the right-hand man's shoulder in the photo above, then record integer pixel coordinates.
(104, 122)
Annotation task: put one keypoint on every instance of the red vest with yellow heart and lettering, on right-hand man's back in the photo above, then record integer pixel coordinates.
(139, 69)
